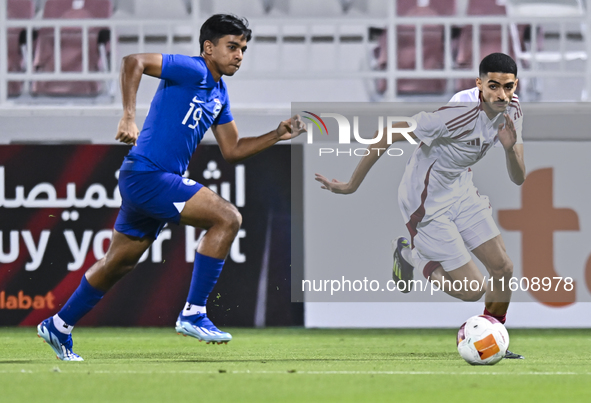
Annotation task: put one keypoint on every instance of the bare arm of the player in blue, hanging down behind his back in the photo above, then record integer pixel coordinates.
(132, 69)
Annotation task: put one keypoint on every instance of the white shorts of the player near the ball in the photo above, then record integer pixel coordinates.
(448, 238)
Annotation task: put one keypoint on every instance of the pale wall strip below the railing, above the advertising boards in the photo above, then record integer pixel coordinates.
(41, 124)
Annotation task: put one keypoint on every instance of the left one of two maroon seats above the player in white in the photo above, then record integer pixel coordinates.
(433, 57)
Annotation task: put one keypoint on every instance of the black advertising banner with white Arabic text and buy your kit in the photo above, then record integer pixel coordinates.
(58, 204)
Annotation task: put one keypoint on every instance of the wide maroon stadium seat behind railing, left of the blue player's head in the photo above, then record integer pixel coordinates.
(71, 47)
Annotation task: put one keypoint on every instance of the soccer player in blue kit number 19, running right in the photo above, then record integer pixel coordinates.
(190, 99)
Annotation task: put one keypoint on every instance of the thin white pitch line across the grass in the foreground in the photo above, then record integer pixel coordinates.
(305, 372)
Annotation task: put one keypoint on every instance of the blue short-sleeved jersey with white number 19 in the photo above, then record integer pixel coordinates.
(188, 101)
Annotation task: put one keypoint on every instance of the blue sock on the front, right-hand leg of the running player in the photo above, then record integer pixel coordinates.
(206, 271)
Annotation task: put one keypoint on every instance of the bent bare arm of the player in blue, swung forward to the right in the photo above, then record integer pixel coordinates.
(235, 149)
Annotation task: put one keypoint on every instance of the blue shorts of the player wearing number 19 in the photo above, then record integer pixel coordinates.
(150, 199)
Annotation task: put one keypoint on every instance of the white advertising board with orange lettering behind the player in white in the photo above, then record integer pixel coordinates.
(546, 225)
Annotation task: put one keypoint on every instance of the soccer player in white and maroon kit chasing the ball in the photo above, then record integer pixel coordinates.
(444, 213)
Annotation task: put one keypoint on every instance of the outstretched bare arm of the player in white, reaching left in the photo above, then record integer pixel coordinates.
(367, 161)
